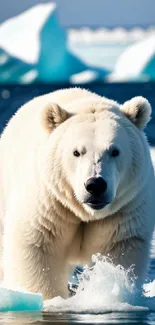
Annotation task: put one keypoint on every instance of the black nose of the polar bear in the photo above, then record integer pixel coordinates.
(96, 185)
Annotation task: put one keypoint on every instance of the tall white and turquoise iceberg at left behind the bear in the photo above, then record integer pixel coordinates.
(34, 47)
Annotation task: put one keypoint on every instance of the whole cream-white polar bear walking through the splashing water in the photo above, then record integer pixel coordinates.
(76, 178)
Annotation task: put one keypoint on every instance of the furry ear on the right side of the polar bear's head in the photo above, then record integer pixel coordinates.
(138, 110)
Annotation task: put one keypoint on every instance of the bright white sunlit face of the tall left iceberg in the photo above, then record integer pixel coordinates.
(19, 36)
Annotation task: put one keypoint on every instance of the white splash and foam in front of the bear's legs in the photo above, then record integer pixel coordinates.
(105, 288)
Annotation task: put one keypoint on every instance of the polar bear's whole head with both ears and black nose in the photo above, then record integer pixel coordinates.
(97, 154)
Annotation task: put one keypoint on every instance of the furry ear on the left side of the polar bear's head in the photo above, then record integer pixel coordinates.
(53, 115)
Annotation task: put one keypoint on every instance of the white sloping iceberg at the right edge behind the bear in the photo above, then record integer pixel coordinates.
(137, 62)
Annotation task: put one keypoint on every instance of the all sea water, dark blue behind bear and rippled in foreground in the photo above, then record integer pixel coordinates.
(11, 98)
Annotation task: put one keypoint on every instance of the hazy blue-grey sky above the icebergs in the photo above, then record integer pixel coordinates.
(94, 13)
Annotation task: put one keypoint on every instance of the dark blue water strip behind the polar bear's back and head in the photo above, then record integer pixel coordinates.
(12, 97)
